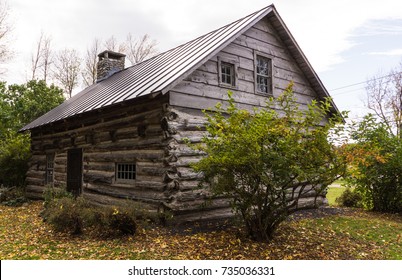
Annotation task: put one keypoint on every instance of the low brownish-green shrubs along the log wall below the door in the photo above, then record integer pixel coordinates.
(70, 214)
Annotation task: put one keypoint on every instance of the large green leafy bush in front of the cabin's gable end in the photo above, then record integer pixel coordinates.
(265, 161)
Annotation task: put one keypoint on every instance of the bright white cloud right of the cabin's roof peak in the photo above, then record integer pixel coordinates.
(325, 29)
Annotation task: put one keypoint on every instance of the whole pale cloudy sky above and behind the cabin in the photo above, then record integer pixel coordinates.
(346, 41)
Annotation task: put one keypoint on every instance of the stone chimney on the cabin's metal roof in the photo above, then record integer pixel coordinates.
(109, 63)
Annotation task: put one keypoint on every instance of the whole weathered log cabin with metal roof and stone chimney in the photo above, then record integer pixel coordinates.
(126, 136)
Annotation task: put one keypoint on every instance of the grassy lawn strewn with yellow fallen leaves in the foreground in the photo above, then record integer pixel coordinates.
(355, 234)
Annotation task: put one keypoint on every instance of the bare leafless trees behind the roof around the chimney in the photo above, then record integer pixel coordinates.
(67, 68)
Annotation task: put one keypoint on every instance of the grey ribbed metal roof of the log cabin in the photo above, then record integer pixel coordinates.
(162, 72)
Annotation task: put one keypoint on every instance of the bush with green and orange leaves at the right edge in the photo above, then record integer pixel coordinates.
(375, 164)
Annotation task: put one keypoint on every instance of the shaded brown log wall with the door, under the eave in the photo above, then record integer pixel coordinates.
(124, 134)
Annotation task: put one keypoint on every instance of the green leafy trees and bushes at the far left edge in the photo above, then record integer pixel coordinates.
(19, 105)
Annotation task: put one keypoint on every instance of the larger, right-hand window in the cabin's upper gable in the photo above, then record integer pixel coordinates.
(263, 74)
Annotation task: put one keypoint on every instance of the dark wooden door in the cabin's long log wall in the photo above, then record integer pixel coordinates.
(74, 171)
